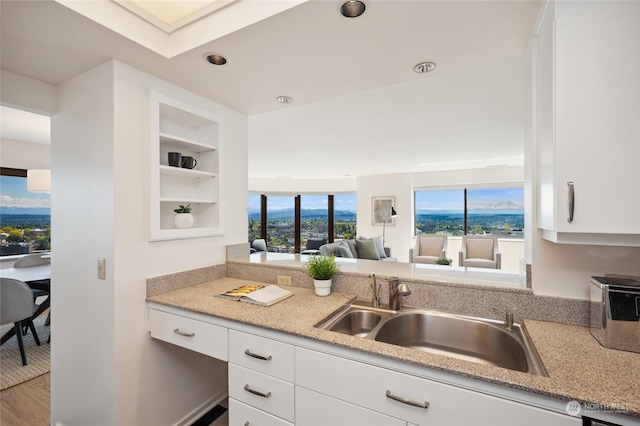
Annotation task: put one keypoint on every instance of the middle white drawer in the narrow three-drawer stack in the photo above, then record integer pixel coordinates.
(267, 393)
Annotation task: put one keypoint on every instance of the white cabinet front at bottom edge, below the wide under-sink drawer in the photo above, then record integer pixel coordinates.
(316, 409)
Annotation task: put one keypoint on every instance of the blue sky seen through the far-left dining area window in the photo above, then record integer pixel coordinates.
(15, 199)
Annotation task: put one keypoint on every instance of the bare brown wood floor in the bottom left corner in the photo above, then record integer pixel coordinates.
(27, 404)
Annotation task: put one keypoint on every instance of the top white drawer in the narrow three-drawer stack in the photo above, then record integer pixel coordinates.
(264, 355)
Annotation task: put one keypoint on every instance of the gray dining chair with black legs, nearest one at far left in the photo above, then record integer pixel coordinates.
(17, 307)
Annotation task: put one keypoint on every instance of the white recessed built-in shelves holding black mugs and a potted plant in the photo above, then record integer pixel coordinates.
(175, 126)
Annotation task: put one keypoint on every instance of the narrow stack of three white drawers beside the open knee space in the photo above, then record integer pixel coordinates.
(261, 376)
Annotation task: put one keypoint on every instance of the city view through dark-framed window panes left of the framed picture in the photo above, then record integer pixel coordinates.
(314, 219)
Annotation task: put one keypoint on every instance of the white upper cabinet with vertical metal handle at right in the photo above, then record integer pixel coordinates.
(587, 121)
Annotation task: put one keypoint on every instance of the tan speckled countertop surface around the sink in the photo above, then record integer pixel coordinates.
(579, 367)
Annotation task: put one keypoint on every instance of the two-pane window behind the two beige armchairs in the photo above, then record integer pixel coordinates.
(494, 211)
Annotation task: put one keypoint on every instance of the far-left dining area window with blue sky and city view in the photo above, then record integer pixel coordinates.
(25, 217)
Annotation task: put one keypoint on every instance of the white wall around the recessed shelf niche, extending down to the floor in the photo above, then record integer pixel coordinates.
(105, 367)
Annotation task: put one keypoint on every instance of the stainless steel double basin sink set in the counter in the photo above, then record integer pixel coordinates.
(480, 340)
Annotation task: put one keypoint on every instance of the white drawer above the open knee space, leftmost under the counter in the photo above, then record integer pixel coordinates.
(196, 335)
